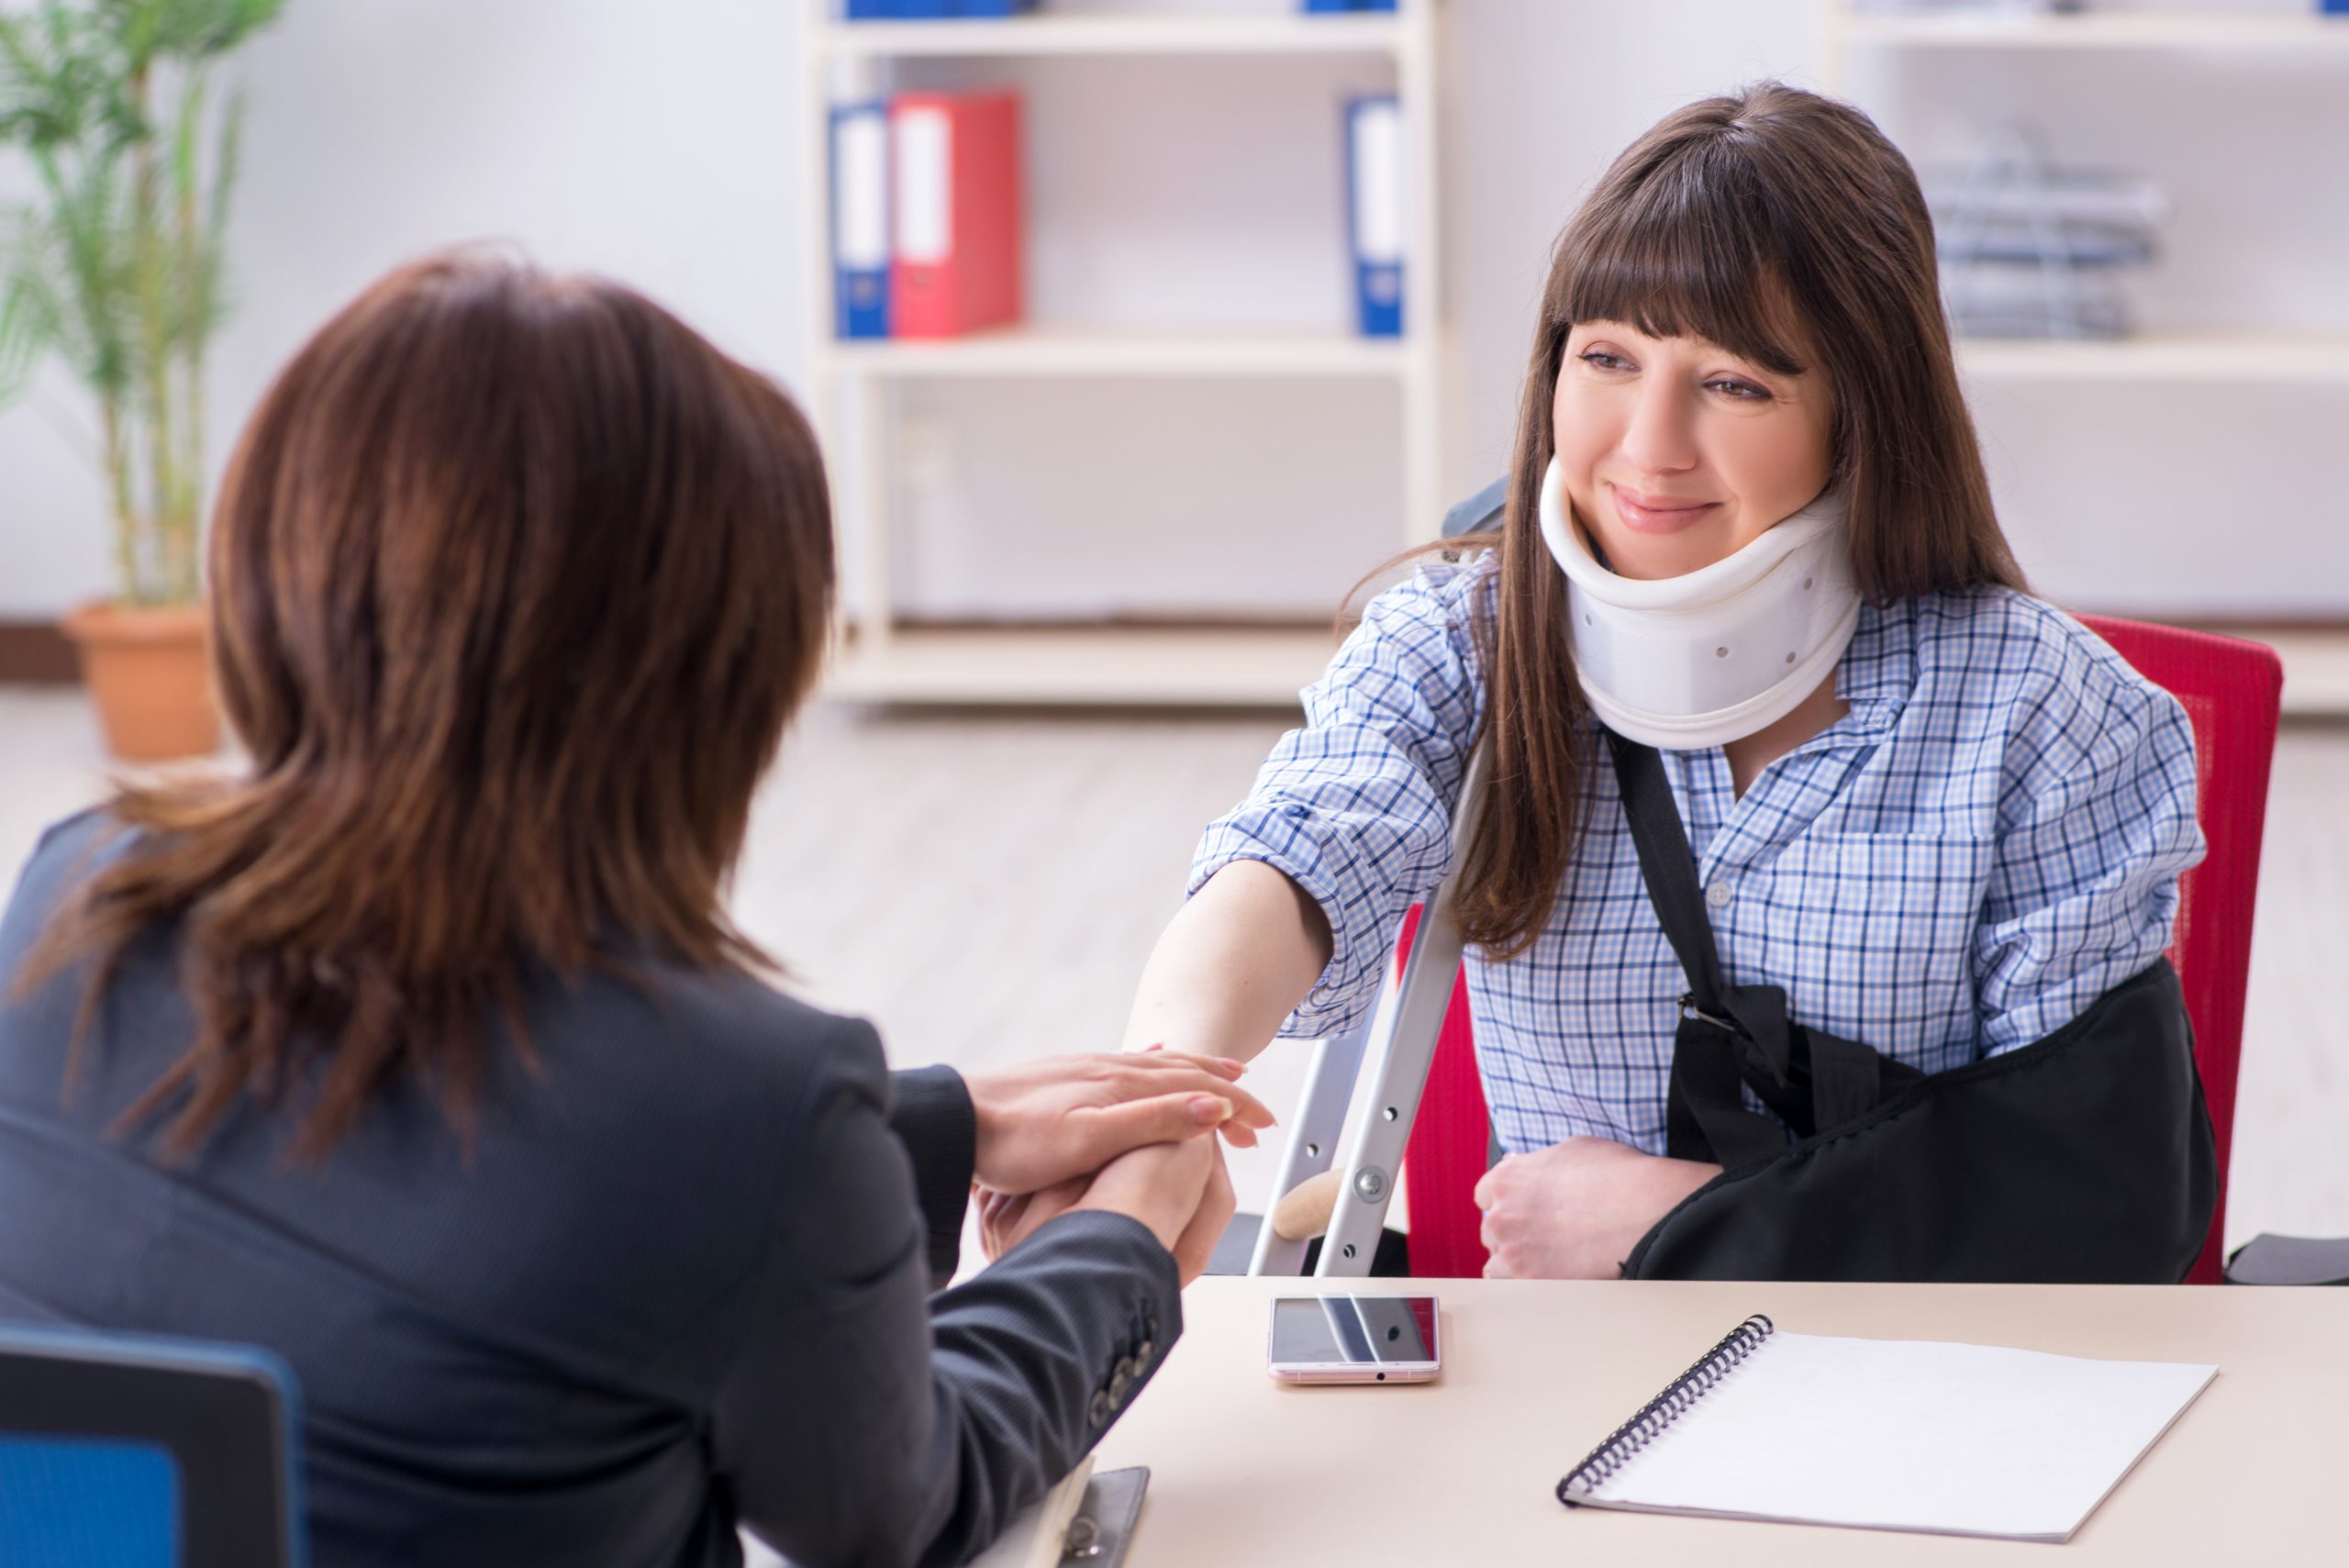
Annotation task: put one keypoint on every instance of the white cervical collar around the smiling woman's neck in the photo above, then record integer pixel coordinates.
(1718, 654)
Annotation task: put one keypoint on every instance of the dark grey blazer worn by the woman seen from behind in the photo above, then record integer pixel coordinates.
(678, 1283)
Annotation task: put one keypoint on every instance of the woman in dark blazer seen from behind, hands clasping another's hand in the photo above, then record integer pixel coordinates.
(424, 1053)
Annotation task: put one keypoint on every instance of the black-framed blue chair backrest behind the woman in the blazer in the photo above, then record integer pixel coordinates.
(133, 1452)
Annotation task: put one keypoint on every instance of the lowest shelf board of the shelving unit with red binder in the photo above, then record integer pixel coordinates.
(1241, 668)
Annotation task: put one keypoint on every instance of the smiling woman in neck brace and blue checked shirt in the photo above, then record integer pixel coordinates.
(1746, 527)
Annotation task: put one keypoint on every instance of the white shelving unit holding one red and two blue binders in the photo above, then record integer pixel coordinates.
(852, 384)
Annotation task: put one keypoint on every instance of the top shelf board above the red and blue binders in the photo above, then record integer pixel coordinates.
(1035, 36)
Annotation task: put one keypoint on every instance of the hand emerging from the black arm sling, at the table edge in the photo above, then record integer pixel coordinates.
(1575, 1210)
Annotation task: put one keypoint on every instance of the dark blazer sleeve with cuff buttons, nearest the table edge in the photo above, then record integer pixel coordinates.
(870, 1424)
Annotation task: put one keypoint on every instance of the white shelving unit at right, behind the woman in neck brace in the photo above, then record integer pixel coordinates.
(2315, 661)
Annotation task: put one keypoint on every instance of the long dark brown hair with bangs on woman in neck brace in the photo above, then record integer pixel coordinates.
(1735, 219)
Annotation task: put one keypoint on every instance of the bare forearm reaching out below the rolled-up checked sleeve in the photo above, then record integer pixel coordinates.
(1232, 966)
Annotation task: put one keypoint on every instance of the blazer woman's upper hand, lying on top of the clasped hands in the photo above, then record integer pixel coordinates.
(1061, 1118)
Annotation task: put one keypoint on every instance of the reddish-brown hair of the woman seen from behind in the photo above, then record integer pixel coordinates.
(516, 583)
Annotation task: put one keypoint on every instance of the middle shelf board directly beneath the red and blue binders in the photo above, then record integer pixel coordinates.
(1030, 351)
